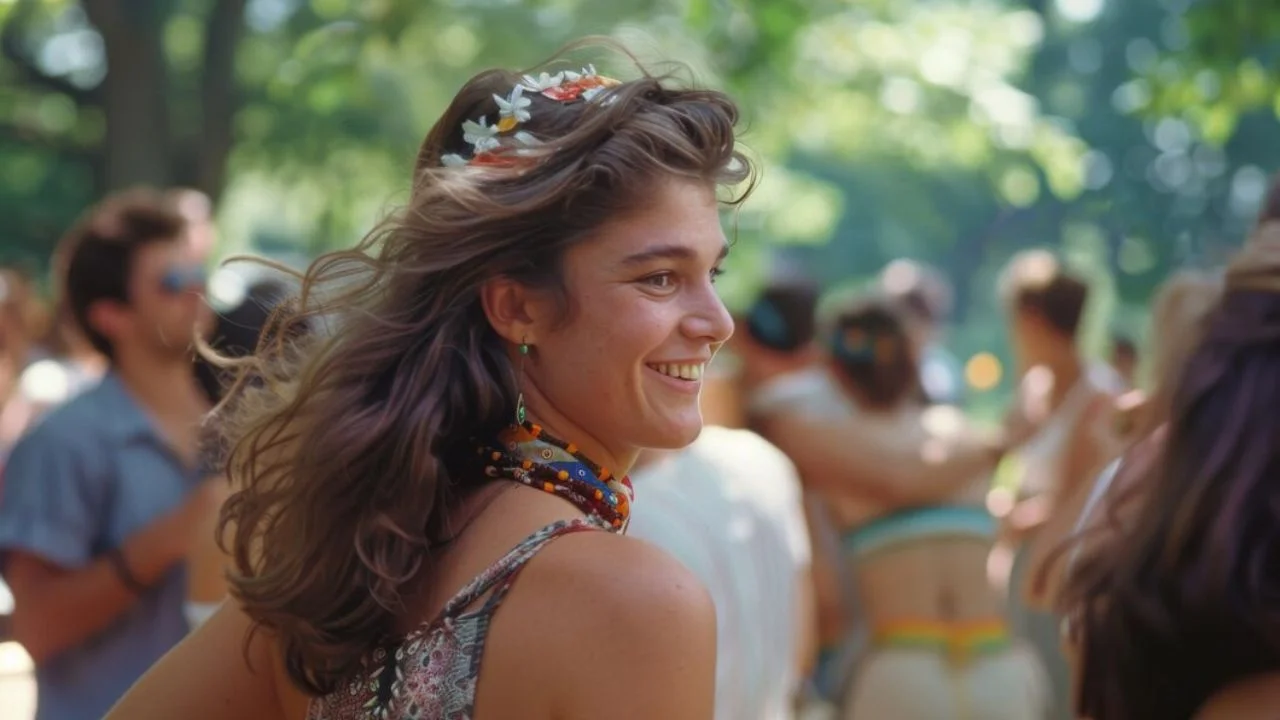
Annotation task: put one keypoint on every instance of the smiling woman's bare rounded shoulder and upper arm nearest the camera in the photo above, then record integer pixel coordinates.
(627, 631)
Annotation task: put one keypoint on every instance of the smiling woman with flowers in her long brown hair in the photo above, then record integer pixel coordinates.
(540, 312)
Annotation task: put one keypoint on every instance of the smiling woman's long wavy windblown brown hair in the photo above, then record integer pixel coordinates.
(353, 446)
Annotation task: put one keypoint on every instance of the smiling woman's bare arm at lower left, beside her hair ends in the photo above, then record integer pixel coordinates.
(209, 676)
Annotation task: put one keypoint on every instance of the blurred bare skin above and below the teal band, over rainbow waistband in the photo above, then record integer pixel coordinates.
(881, 461)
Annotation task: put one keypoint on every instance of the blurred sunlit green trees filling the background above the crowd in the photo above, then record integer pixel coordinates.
(1135, 136)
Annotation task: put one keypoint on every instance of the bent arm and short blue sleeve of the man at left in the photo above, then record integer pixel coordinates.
(57, 490)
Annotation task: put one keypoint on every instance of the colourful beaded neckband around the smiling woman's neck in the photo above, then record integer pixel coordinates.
(528, 455)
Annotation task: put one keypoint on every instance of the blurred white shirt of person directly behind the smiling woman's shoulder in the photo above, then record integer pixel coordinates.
(730, 508)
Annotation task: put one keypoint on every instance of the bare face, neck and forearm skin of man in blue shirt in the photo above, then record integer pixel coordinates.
(58, 608)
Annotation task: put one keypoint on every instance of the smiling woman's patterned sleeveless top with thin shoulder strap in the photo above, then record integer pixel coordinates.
(432, 673)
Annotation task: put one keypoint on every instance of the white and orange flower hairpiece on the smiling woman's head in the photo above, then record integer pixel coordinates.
(499, 145)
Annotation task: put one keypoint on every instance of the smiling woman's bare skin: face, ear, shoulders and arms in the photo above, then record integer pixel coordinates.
(643, 294)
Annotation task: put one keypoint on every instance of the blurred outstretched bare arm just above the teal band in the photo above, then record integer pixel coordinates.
(868, 455)
